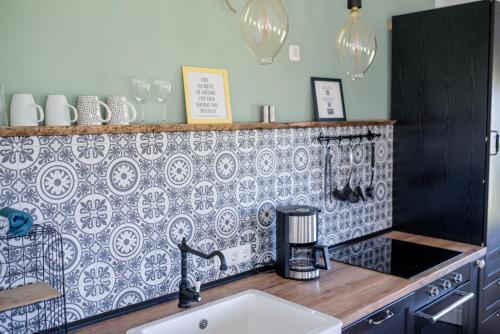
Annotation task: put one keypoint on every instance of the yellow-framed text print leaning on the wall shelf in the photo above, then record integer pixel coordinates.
(206, 91)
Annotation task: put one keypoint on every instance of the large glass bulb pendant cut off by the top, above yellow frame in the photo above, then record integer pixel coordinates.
(264, 28)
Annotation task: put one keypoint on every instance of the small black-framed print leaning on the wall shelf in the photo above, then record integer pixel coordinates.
(328, 99)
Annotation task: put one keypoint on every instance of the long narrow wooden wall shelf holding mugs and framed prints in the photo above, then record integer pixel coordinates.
(24, 131)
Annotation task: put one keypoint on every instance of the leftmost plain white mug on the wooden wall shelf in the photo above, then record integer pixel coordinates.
(23, 111)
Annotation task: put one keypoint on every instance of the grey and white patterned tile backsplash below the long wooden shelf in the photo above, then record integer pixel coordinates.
(123, 202)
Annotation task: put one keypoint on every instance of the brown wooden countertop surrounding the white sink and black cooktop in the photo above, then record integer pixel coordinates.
(345, 292)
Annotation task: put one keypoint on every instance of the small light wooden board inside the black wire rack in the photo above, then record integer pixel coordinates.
(26, 295)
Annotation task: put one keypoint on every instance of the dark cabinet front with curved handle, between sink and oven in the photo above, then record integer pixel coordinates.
(395, 318)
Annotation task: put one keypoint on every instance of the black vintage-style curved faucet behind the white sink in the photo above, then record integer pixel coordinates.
(186, 293)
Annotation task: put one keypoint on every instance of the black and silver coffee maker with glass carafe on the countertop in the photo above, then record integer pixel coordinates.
(297, 249)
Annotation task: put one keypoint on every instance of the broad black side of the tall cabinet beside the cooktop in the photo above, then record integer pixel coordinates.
(440, 76)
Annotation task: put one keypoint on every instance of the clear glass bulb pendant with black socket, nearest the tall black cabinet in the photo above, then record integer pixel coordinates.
(356, 43)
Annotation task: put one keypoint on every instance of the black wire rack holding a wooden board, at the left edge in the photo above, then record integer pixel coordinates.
(32, 282)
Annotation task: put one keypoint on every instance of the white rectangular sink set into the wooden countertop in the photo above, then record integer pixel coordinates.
(248, 312)
